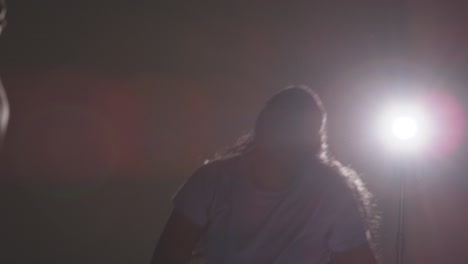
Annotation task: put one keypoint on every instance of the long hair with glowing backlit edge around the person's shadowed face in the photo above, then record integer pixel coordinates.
(302, 95)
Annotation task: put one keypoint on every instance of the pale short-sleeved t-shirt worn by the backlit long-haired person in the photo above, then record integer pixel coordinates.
(314, 217)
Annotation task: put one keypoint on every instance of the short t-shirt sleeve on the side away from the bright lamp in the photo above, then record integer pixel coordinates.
(194, 197)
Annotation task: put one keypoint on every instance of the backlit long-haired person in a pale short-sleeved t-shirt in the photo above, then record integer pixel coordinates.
(276, 197)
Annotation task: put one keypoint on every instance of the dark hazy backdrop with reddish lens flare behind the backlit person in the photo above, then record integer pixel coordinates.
(115, 103)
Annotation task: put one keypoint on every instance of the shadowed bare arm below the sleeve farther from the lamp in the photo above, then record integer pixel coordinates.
(177, 241)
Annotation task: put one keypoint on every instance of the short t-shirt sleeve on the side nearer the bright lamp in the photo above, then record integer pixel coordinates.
(349, 229)
